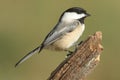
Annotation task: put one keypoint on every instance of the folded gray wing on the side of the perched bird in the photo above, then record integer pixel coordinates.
(59, 31)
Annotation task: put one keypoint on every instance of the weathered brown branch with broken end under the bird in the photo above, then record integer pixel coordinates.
(81, 62)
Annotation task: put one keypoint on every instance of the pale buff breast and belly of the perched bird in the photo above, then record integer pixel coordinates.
(70, 38)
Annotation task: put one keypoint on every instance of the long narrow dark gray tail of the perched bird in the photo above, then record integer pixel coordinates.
(36, 50)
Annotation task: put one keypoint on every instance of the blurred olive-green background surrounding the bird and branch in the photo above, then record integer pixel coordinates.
(25, 23)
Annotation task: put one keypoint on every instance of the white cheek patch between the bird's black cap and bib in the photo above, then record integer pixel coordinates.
(68, 16)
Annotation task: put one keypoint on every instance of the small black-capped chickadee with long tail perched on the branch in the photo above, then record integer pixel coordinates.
(65, 34)
